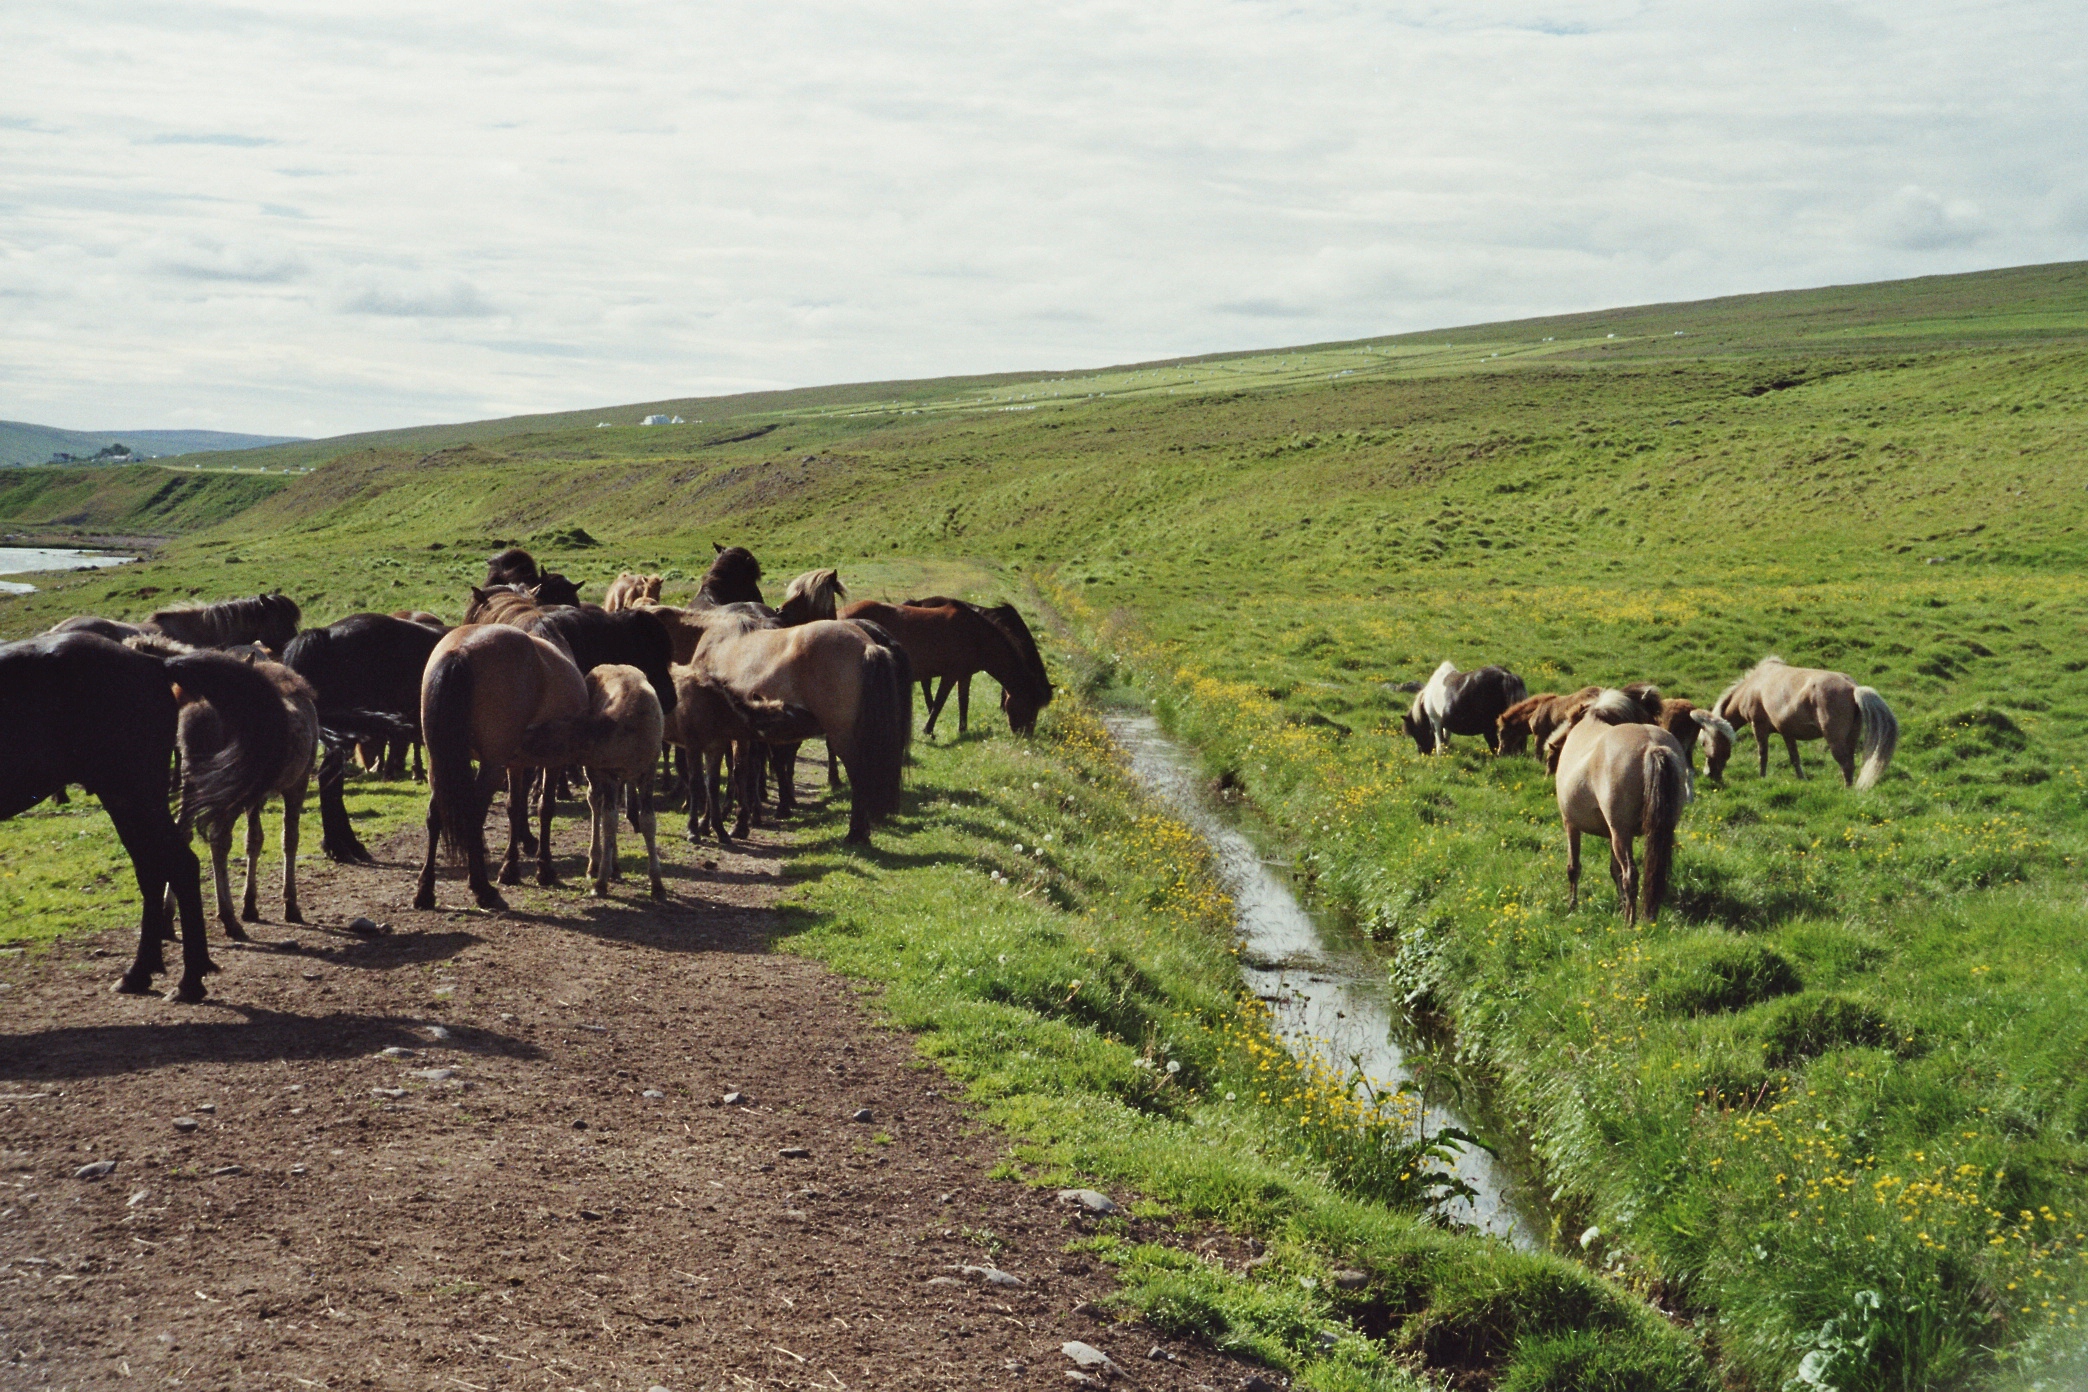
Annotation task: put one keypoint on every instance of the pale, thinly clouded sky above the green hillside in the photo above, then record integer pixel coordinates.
(329, 216)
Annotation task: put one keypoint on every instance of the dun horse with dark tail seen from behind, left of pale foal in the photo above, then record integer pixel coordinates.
(485, 688)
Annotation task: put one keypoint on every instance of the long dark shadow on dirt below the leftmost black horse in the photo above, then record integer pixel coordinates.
(258, 1038)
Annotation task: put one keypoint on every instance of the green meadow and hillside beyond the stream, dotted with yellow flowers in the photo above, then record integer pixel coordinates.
(1832, 1103)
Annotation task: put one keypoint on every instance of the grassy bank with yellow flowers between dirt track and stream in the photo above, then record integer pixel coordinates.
(1062, 946)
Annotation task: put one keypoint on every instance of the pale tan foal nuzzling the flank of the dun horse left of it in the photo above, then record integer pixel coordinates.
(617, 742)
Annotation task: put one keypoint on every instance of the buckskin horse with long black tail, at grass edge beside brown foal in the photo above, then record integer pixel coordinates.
(847, 681)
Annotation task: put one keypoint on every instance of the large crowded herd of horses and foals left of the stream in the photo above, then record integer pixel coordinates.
(533, 686)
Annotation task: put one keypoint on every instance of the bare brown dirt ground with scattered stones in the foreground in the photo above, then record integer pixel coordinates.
(494, 1151)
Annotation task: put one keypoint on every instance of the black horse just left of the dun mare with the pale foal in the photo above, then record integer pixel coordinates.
(366, 677)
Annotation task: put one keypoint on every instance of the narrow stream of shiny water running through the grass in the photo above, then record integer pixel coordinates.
(1325, 1001)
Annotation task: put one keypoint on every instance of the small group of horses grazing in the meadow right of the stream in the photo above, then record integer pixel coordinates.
(1621, 757)
